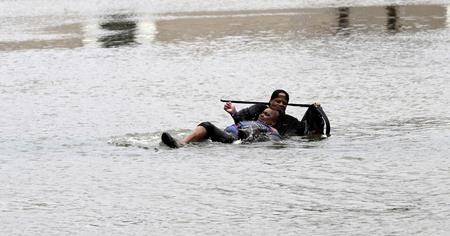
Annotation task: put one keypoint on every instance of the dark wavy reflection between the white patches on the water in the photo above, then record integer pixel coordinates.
(123, 31)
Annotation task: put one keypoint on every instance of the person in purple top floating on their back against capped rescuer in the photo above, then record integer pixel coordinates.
(248, 131)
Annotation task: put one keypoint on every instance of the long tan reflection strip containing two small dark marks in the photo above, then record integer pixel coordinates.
(301, 22)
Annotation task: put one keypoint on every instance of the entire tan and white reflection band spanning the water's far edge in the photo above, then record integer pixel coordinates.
(124, 30)
